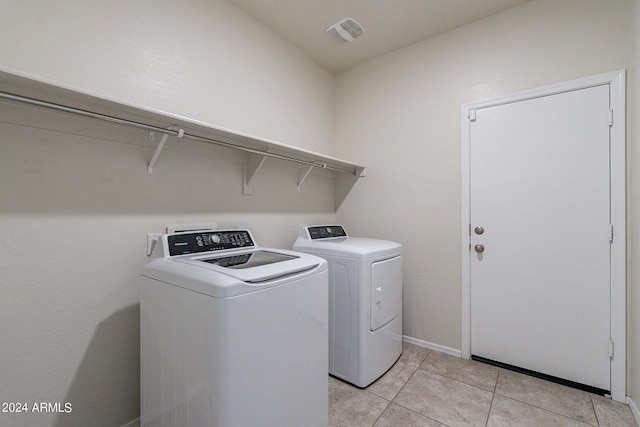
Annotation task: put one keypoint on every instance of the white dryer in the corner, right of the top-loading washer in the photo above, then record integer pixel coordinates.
(365, 301)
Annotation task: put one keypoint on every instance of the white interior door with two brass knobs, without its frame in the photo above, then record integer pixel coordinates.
(540, 264)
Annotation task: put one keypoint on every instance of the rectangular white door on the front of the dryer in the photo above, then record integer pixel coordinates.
(386, 291)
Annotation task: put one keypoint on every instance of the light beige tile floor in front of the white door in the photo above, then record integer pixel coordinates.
(428, 388)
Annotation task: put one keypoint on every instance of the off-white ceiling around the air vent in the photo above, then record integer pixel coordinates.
(389, 24)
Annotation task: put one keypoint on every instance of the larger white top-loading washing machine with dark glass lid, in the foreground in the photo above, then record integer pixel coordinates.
(233, 334)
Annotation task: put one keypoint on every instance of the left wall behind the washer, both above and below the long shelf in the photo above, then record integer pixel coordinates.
(75, 198)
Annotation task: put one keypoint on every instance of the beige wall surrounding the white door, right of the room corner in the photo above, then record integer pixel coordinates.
(399, 114)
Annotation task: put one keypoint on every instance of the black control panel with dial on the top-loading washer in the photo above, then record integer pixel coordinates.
(208, 241)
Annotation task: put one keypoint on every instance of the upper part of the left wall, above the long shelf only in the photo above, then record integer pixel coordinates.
(201, 59)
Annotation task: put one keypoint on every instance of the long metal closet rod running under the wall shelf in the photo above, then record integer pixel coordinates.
(179, 132)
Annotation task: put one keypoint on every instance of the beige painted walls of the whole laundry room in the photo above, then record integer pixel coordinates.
(69, 309)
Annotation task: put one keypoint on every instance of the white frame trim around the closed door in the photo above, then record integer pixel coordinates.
(617, 83)
